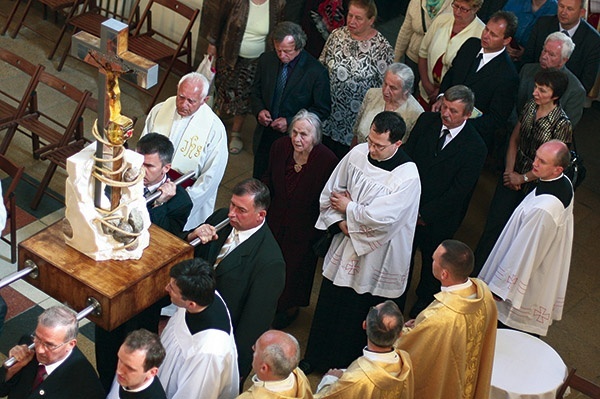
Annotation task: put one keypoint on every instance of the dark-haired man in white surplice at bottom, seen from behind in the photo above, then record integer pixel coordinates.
(201, 360)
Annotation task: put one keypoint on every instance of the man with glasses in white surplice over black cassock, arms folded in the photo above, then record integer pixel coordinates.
(370, 206)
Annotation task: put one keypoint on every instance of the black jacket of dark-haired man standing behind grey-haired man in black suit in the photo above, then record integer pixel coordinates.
(495, 87)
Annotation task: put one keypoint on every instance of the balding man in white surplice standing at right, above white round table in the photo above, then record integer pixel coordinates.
(528, 268)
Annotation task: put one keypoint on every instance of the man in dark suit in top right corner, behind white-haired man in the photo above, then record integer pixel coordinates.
(585, 60)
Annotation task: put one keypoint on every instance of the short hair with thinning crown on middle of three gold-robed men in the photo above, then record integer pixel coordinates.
(379, 332)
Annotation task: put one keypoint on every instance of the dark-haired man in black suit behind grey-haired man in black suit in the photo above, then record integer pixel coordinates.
(484, 66)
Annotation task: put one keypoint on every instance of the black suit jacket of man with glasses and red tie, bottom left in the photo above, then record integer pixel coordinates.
(74, 379)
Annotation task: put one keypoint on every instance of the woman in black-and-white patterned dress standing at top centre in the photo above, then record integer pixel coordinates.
(356, 56)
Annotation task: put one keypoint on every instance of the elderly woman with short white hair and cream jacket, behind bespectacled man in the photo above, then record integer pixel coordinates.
(394, 96)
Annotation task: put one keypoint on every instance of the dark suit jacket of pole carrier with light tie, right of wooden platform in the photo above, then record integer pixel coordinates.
(250, 279)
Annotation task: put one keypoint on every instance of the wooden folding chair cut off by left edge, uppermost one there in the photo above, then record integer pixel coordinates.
(12, 108)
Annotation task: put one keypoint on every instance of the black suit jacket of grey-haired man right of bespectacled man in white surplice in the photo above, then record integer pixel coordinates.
(448, 180)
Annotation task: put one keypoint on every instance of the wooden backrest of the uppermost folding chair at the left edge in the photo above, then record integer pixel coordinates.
(16, 107)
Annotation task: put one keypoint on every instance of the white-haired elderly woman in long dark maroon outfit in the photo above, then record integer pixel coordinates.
(299, 167)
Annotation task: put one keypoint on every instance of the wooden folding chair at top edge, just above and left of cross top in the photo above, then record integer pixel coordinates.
(93, 14)
